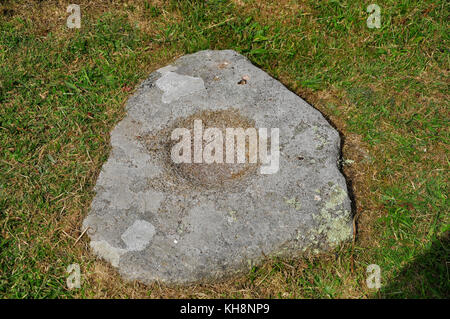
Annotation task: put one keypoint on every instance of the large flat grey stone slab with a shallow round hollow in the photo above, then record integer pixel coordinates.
(154, 220)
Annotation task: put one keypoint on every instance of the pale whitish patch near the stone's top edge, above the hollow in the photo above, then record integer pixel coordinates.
(176, 85)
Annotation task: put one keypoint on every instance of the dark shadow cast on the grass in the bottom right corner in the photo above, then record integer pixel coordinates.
(426, 277)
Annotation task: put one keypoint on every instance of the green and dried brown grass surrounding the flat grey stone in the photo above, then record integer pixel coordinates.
(386, 90)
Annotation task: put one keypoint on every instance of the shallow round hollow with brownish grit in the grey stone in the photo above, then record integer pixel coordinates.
(213, 174)
